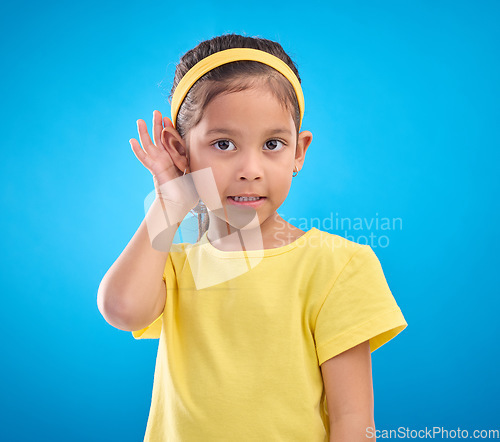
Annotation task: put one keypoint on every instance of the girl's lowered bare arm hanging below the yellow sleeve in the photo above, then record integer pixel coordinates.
(349, 393)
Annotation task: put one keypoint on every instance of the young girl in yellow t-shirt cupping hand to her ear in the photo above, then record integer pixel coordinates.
(265, 330)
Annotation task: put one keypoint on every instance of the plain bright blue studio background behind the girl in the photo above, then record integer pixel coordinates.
(402, 99)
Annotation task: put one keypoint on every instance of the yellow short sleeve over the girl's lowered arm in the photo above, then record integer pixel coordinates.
(358, 307)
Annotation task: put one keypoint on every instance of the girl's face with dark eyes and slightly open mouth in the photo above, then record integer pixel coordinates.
(250, 143)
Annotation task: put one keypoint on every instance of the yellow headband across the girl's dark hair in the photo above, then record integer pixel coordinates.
(227, 56)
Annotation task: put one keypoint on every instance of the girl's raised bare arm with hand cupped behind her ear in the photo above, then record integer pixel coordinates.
(132, 293)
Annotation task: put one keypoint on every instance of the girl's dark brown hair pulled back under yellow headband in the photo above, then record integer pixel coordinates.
(231, 77)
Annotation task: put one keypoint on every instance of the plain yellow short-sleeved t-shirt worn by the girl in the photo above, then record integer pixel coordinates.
(242, 339)
